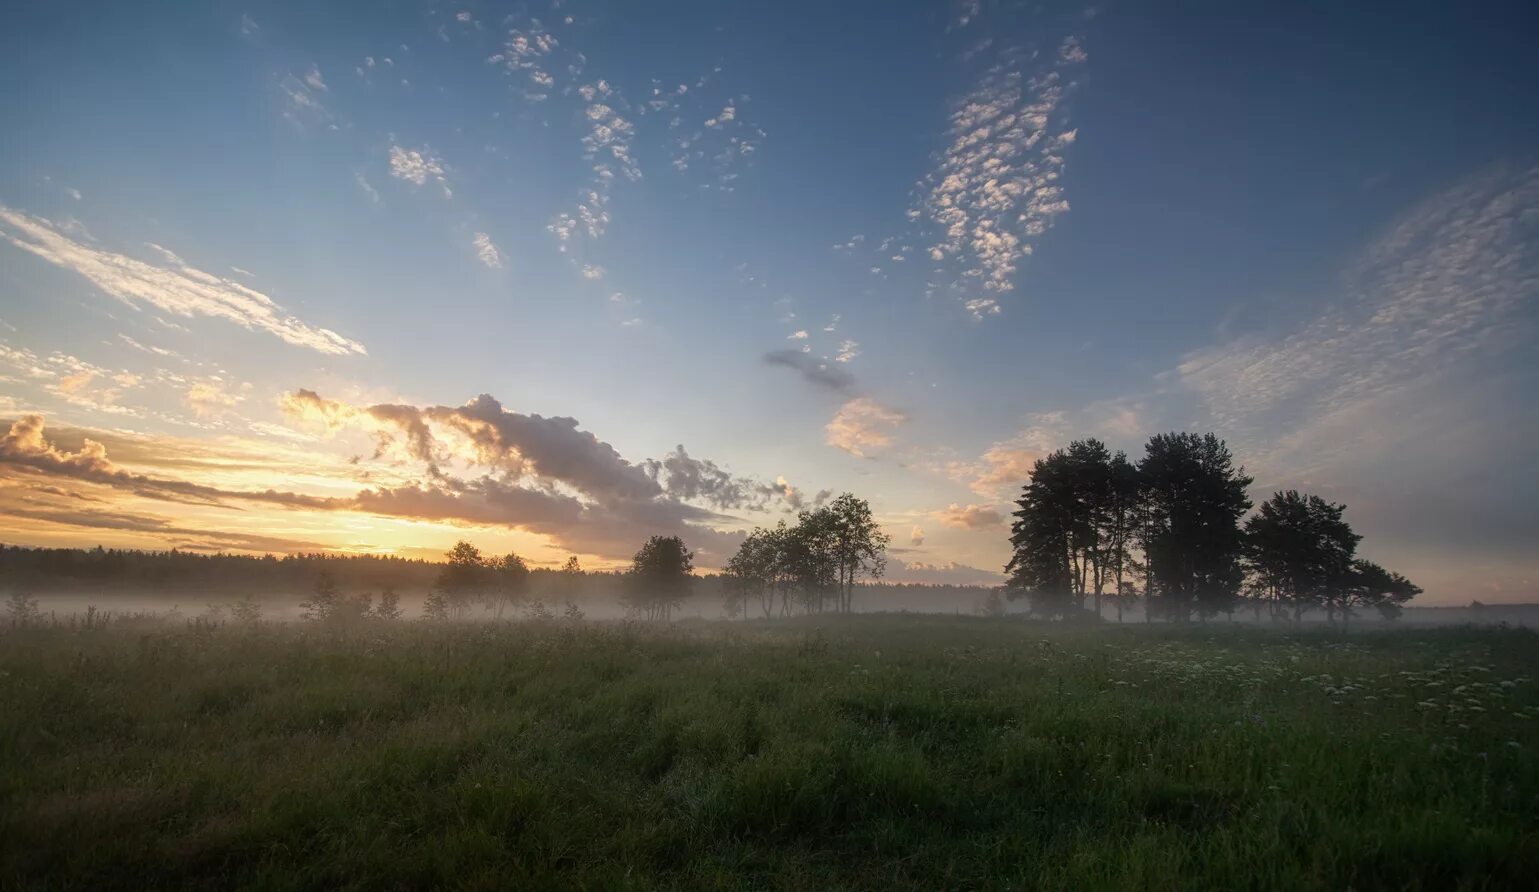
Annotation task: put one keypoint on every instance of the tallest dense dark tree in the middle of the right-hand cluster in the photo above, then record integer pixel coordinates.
(1193, 499)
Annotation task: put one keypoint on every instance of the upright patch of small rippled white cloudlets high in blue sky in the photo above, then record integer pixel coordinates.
(1000, 184)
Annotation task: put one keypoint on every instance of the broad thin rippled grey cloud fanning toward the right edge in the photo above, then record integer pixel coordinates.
(1446, 288)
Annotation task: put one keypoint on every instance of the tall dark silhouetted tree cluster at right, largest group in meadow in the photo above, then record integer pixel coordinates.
(1172, 531)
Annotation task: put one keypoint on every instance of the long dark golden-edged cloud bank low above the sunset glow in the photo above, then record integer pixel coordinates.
(564, 484)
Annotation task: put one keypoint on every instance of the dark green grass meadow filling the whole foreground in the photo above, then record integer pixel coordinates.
(867, 753)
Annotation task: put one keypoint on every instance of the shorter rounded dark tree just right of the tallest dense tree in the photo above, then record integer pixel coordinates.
(1300, 551)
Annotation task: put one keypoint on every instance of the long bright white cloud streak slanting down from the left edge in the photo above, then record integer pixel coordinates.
(175, 288)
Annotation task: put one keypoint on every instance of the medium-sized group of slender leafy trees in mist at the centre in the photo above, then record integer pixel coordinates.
(810, 565)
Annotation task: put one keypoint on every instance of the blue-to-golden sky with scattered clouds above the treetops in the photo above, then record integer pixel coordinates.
(555, 278)
